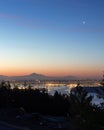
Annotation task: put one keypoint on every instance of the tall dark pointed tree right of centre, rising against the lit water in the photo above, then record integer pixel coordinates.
(81, 107)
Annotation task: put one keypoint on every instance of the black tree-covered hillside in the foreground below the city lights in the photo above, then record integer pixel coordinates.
(36, 108)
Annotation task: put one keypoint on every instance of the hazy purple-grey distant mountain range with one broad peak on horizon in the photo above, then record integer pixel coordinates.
(35, 76)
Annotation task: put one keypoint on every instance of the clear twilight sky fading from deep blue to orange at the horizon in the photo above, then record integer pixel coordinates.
(52, 37)
